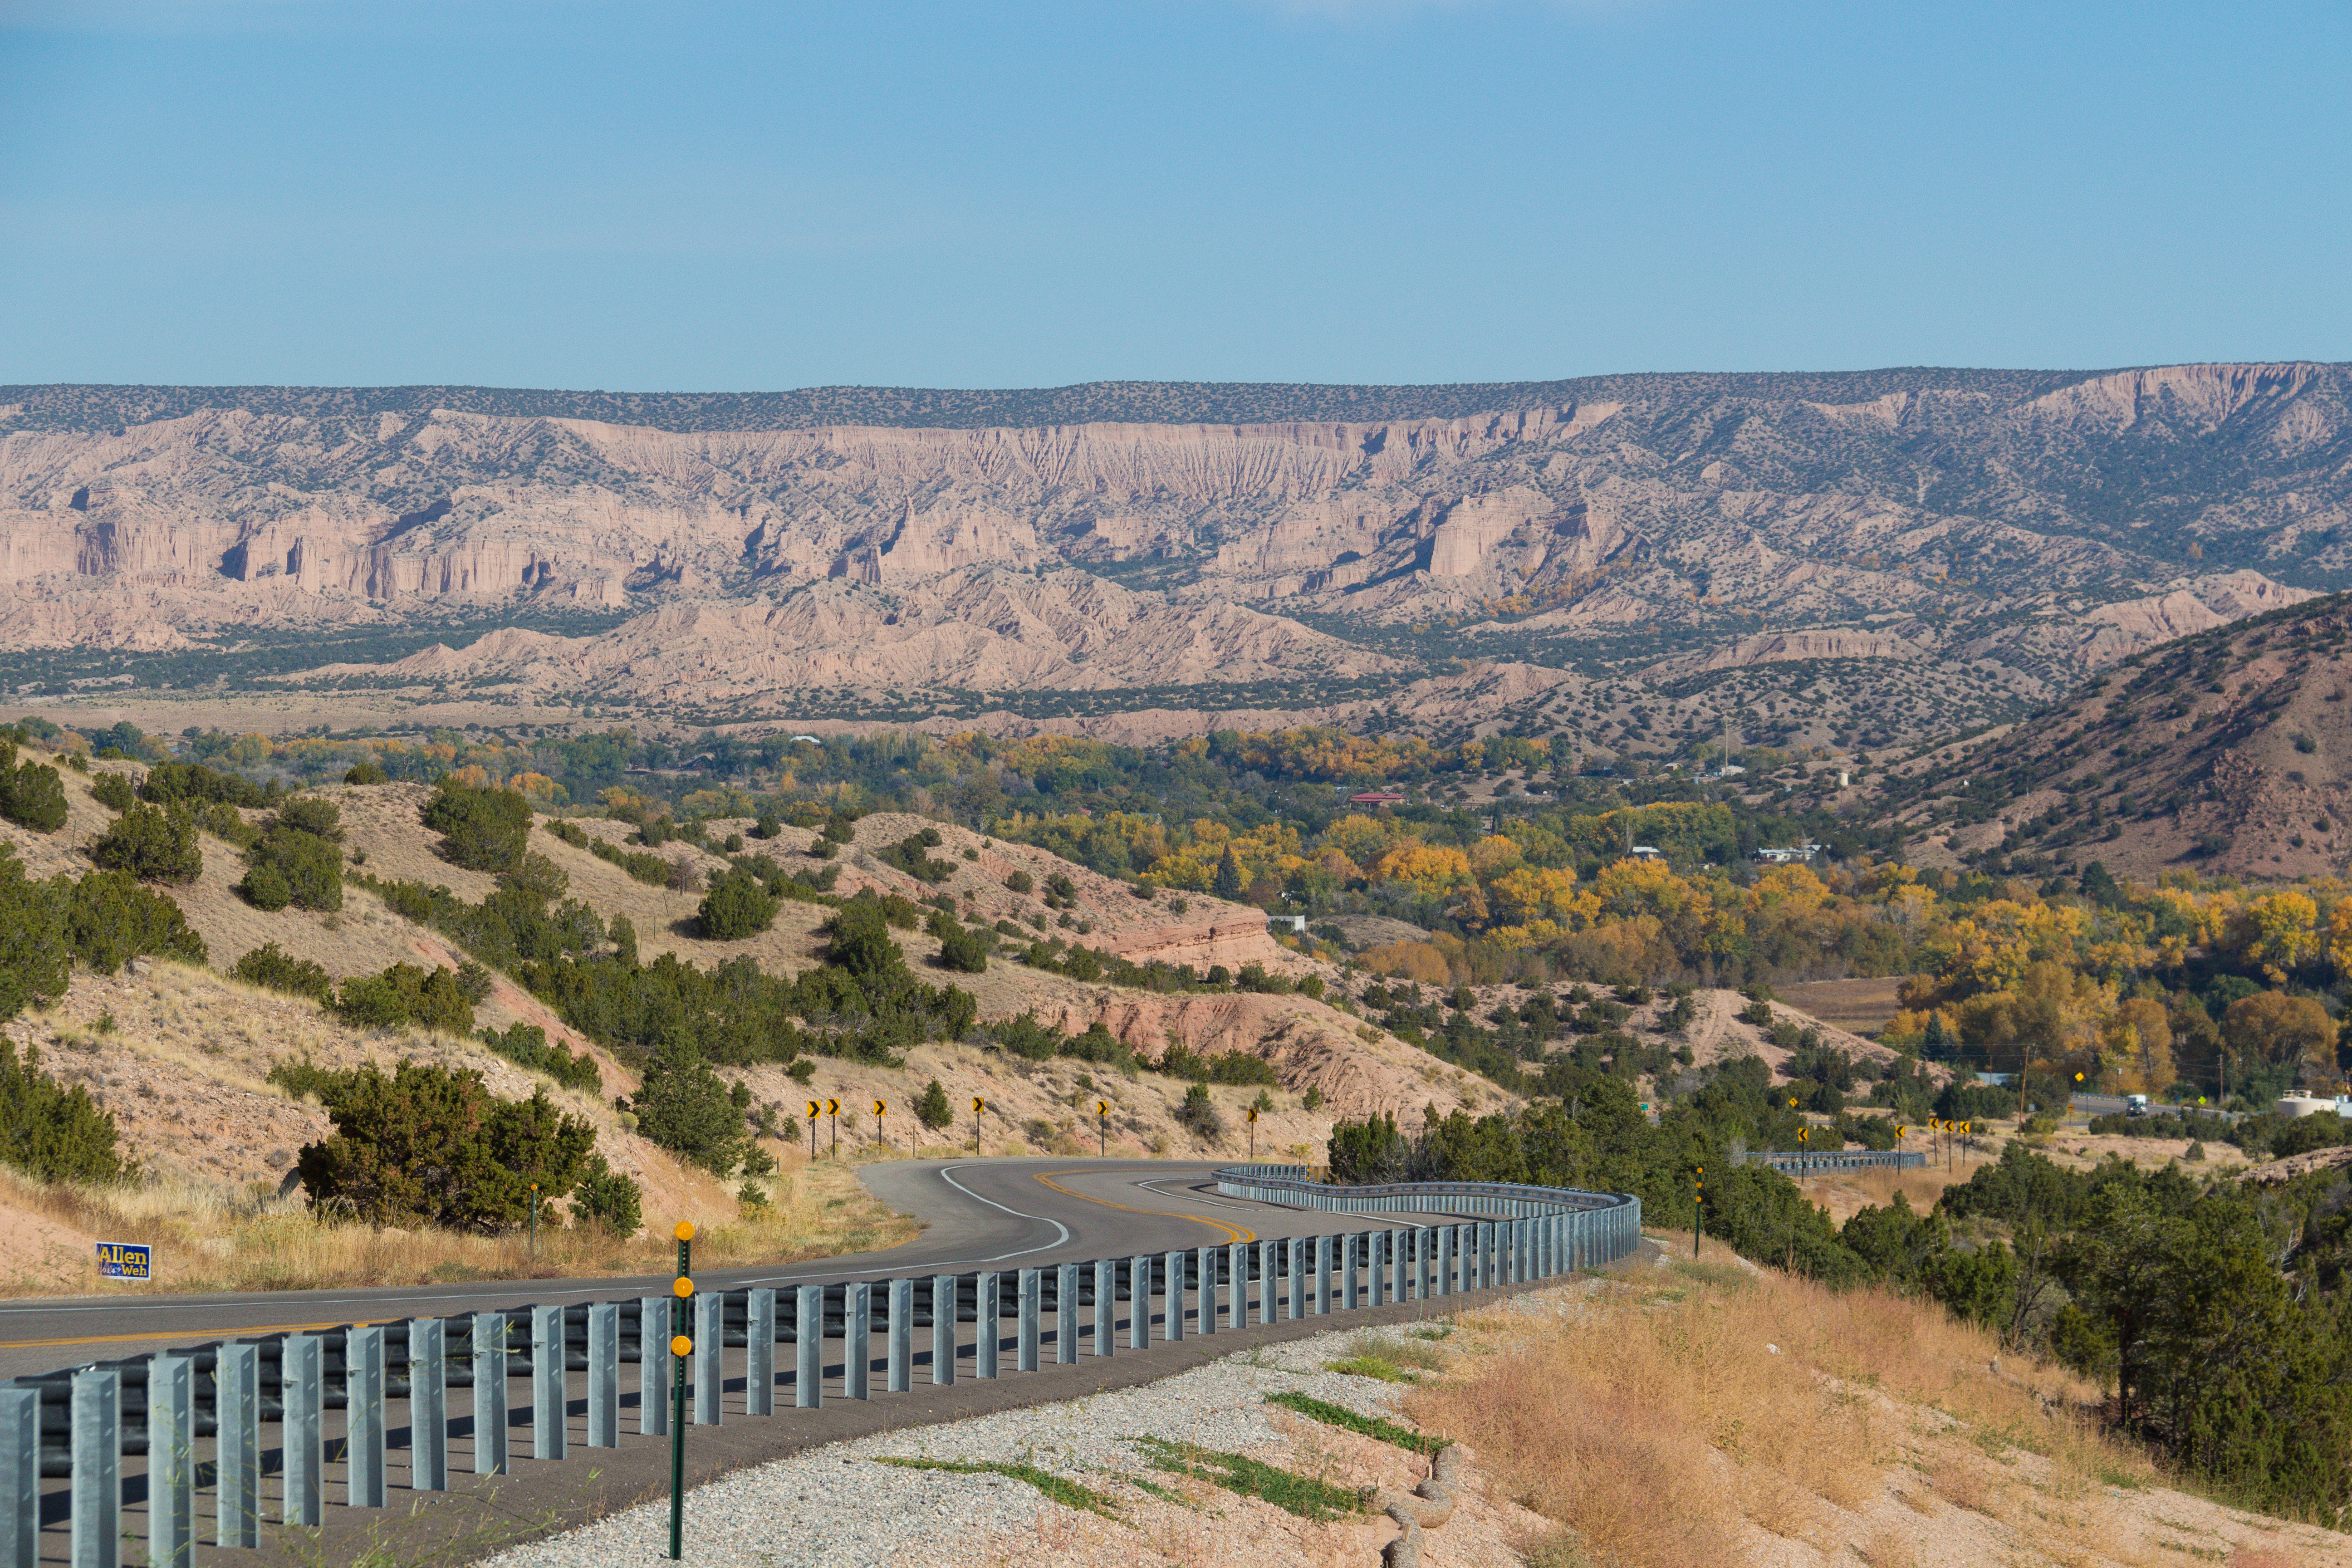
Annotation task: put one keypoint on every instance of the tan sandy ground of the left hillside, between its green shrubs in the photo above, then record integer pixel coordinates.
(182, 1054)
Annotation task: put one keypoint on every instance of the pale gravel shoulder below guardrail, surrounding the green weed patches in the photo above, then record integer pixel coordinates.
(846, 1506)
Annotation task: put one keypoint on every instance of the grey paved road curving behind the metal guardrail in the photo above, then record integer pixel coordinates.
(975, 1214)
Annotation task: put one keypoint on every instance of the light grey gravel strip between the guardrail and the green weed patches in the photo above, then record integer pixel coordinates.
(841, 1508)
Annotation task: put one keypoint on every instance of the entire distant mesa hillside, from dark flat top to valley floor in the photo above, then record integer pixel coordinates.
(1826, 561)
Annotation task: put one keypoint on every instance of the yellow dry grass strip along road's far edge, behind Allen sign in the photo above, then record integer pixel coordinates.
(218, 1240)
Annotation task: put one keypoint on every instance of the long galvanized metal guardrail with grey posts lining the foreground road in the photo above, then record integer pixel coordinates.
(208, 1419)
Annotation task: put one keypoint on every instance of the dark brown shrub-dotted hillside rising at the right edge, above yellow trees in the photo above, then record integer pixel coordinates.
(2226, 751)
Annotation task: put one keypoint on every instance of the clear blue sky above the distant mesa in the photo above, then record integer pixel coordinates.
(768, 196)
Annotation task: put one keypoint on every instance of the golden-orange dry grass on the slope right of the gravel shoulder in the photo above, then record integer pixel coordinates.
(1662, 1426)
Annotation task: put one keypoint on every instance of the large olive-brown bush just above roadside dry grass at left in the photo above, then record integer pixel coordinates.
(432, 1144)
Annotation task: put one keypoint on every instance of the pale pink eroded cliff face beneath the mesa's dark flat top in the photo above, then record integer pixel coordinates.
(2038, 523)
